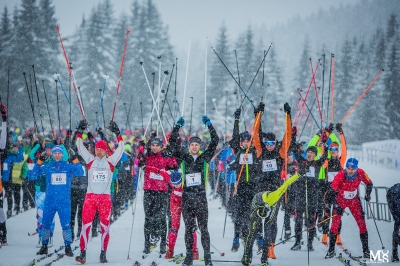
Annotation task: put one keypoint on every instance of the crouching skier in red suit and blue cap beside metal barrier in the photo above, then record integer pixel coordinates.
(345, 184)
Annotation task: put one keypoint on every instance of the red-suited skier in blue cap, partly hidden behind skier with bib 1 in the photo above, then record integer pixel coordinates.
(175, 206)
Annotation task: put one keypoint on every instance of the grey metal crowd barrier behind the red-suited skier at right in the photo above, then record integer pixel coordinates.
(379, 206)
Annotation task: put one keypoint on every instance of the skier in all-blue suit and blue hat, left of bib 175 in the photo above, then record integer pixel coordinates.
(58, 196)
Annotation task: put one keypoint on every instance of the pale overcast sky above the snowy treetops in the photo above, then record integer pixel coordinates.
(206, 16)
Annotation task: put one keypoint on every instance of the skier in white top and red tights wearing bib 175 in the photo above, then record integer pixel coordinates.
(98, 198)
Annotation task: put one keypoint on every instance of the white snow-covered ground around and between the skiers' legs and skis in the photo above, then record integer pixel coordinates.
(22, 248)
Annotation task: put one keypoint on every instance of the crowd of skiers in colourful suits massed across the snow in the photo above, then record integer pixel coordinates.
(92, 177)
